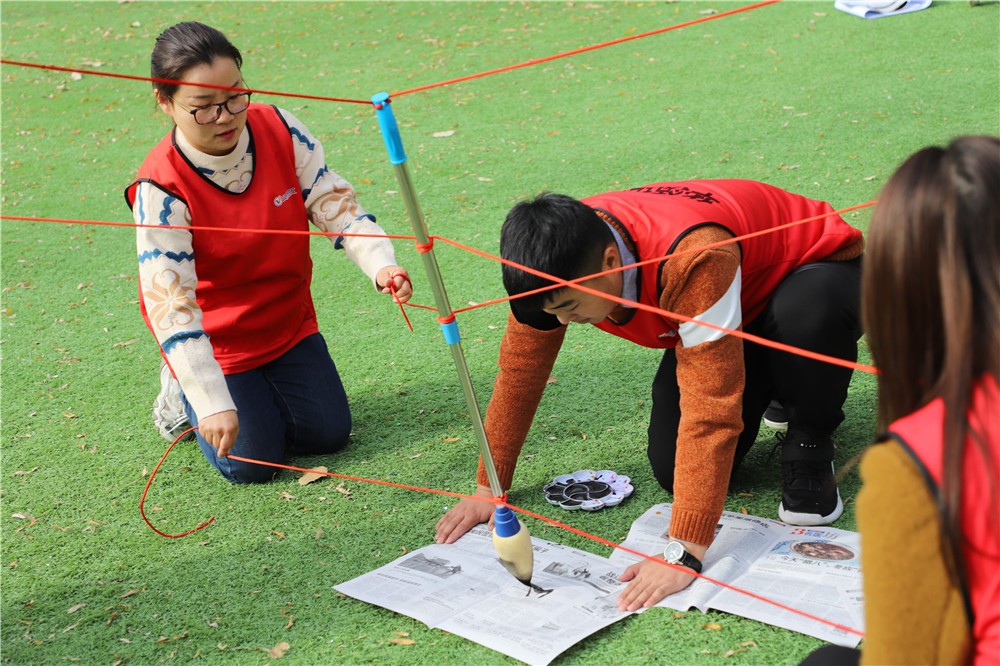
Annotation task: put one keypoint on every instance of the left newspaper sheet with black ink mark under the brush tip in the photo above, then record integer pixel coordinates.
(463, 588)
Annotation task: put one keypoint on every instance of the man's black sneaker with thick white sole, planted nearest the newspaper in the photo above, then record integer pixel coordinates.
(809, 489)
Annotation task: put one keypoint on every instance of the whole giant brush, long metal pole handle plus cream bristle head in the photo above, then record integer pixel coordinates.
(510, 536)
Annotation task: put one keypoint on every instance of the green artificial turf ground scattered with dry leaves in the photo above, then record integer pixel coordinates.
(796, 94)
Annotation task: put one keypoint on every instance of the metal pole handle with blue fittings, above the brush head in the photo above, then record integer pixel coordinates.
(449, 326)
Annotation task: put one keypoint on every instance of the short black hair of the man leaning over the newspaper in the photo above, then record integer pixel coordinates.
(555, 234)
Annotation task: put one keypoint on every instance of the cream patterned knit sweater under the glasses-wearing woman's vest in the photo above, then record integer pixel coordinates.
(168, 273)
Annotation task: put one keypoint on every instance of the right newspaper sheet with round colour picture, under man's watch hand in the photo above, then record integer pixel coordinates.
(816, 570)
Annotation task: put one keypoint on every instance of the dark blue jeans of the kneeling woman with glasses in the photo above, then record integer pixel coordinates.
(296, 404)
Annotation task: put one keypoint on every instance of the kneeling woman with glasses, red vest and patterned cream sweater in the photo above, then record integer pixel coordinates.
(233, 311)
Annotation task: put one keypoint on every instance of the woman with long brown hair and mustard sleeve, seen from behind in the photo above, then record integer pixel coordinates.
(929, 509)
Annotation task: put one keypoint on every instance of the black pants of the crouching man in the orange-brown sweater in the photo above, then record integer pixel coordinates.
(817, 307)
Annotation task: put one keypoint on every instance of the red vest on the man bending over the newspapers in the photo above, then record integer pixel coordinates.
(658, 216)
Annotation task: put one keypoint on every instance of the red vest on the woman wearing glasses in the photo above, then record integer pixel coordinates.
(253, 289)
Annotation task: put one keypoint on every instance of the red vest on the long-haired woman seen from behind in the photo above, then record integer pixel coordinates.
(921, 433)
